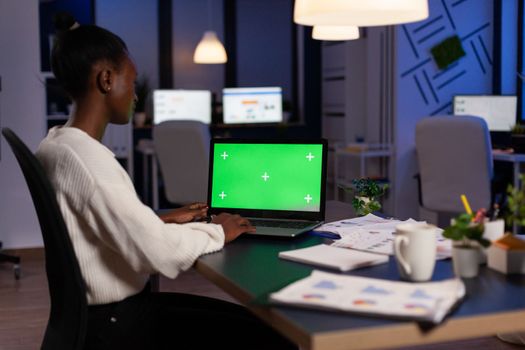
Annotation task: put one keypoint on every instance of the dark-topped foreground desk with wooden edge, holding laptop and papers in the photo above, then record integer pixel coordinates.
(249, 269)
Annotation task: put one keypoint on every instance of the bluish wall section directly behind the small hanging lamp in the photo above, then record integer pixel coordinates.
(190, 20)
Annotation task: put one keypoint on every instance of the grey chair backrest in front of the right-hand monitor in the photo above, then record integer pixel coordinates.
(455, 157)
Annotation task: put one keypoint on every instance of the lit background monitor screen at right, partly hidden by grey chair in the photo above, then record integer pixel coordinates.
(498, 111)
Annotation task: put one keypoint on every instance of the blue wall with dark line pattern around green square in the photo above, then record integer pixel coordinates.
(423, 90)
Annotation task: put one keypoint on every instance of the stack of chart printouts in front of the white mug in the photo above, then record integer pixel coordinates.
(430, 301)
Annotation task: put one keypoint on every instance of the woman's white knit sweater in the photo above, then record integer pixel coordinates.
(118, 240)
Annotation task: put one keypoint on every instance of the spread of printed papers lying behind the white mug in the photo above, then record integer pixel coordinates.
(374, 234)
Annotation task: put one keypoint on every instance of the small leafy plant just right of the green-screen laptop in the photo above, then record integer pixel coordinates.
(366, 195)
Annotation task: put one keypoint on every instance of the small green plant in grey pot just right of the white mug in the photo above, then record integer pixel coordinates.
(467, 235)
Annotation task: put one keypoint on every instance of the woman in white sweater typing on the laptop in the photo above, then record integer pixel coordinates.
(117, 240)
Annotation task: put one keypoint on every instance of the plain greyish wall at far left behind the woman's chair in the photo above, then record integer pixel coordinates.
(21, 109)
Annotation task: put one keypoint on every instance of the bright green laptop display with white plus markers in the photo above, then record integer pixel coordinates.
(267, 176)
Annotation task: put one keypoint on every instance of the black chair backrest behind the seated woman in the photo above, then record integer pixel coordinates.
(67, 325)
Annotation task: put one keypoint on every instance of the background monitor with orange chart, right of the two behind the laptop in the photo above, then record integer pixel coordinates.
(252, 105)
